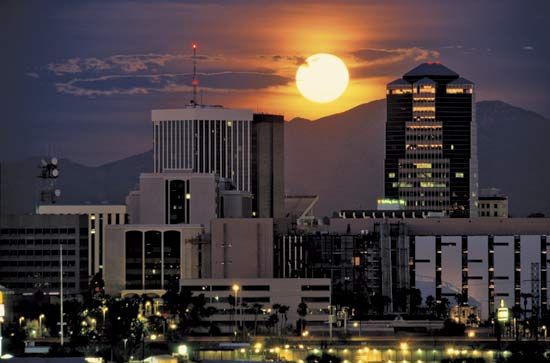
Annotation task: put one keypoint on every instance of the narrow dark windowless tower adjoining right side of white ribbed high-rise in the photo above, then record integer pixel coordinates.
(267, 166)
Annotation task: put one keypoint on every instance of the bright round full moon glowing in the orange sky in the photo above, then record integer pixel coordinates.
(322, 78)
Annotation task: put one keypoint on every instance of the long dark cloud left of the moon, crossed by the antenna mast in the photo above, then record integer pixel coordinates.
(140, 84)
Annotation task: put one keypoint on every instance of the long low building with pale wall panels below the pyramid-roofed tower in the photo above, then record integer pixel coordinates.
(483, 260)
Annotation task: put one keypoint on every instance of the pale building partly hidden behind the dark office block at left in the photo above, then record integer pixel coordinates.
(99, 217)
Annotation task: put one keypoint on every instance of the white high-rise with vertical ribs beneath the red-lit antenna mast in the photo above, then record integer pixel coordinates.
(204, 139)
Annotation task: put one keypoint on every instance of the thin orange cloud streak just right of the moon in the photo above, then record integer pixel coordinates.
(377, 56)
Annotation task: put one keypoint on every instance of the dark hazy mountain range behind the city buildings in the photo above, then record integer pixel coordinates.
(338, 157)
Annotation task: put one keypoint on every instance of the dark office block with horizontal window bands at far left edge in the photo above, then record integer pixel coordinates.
(33, 247)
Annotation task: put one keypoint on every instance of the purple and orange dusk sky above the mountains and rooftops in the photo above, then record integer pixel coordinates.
(79, 78)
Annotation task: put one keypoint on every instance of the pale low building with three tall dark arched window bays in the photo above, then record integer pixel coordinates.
(147, 258)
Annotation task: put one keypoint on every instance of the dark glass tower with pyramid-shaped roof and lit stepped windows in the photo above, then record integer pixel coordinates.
(431, 141)
